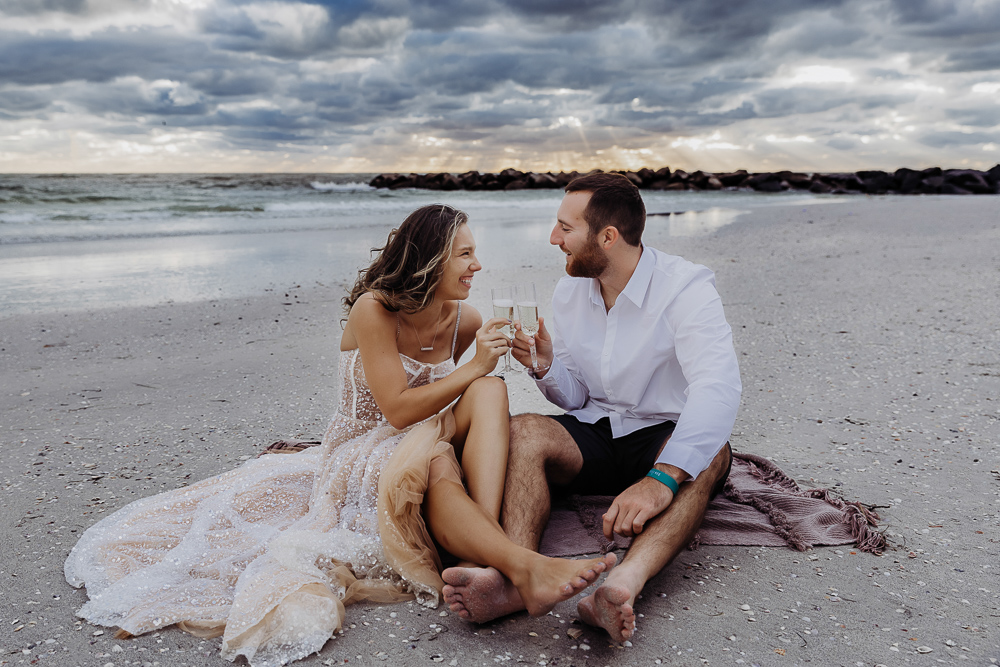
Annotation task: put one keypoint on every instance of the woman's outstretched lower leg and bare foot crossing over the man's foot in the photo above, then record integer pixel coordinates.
(467, 530)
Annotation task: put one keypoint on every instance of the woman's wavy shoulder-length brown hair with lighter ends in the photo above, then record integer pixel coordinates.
(407, 270)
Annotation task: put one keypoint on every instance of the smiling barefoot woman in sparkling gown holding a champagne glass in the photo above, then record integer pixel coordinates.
(267, 555)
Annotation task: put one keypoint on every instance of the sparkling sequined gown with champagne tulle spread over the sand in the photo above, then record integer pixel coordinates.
(268, 554)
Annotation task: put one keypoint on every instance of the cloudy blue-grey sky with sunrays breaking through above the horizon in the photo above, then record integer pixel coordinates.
(454, 85)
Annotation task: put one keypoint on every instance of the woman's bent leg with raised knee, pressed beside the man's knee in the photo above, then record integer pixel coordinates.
(482, 435)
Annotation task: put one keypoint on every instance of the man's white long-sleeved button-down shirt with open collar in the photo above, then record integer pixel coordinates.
(663, 352)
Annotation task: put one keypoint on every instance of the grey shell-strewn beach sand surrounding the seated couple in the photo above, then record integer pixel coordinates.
(869, 343)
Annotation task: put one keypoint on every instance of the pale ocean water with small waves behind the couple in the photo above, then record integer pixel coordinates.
(79, 242)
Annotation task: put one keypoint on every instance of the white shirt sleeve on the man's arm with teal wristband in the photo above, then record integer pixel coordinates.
(704, 348)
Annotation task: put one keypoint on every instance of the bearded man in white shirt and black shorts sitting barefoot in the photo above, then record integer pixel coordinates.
(642, 359)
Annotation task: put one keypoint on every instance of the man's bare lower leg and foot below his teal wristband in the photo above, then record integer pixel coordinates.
(611, 606)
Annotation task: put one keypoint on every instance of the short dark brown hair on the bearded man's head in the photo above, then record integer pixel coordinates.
(614, 202)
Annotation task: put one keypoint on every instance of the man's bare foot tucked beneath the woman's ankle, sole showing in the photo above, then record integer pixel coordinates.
(480, 594)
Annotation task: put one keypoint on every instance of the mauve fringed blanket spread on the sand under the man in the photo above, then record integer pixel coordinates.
(760, 506)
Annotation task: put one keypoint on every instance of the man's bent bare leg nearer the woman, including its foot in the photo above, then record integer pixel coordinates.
(541, 452)
